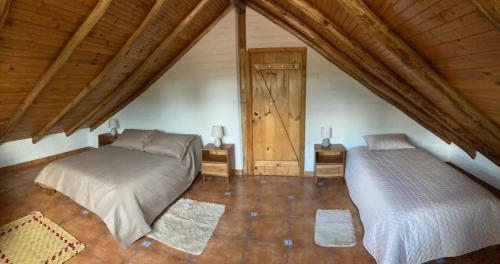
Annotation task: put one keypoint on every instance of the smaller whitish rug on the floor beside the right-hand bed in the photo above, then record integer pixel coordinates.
(334, 228)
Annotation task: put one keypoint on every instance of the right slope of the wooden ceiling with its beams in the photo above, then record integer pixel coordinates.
(435, 60)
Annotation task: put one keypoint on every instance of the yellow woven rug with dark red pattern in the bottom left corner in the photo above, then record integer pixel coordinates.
(36, 239)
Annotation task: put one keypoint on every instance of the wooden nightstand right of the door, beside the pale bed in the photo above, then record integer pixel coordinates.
(329, 162)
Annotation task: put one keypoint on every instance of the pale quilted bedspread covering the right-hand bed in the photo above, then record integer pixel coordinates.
(415, 208)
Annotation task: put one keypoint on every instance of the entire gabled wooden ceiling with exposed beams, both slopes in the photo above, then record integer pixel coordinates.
(69, 64)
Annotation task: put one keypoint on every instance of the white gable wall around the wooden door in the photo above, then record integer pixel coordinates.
(201, 91)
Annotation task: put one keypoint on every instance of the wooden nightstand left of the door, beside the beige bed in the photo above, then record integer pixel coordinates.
(217, 161)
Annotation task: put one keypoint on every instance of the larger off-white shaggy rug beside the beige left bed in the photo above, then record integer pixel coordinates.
(188, 225)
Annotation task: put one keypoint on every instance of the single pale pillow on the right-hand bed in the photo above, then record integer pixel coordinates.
(387, 142)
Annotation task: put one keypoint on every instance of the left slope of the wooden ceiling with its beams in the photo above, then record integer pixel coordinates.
(67, 64)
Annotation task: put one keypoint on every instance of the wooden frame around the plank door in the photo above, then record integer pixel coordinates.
(246, 107)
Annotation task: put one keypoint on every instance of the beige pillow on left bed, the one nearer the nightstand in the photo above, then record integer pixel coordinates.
(174, 145)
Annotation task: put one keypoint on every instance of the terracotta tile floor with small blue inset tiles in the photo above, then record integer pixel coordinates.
(261, 212)
